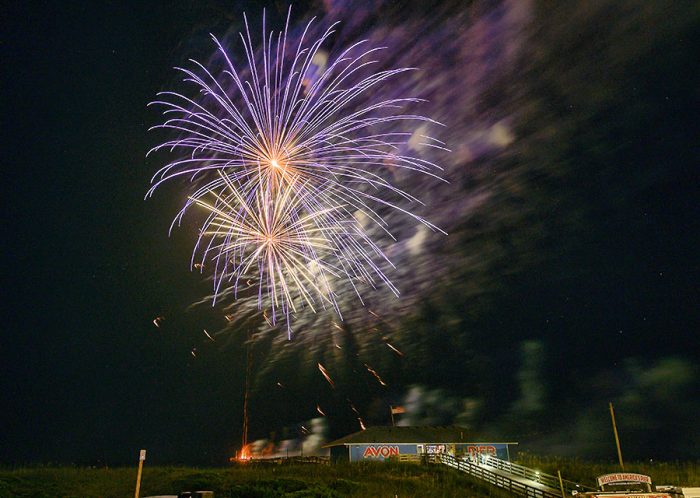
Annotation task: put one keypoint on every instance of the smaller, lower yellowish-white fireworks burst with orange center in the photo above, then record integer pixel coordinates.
(295, 252)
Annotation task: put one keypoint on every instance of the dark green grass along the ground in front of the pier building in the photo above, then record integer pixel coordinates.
(308, 481)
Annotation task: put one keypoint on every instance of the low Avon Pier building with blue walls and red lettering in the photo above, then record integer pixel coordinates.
(409, 444)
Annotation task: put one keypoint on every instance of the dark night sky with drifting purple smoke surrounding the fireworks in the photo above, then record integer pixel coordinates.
(569, 277)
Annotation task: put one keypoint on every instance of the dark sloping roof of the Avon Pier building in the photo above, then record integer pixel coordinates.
(424, 434)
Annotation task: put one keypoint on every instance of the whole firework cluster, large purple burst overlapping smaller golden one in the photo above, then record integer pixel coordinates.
(287, 158)
